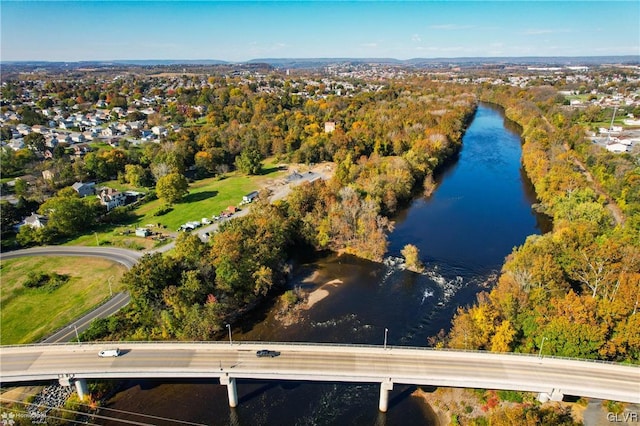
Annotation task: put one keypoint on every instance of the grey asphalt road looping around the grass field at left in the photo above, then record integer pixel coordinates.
(128, 258)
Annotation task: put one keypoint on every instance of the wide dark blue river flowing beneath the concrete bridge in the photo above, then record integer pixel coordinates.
(479, 212)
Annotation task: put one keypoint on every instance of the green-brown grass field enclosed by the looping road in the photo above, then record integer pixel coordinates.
(29, 314)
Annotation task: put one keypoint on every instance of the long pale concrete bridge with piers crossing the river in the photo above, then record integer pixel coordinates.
(551, 378)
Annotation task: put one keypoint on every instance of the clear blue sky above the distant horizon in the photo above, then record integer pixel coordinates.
(239, 31)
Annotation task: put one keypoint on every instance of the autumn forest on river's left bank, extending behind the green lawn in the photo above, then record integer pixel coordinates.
(386, 145)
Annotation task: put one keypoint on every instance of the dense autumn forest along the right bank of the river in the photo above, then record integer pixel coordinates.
(574, 291)
